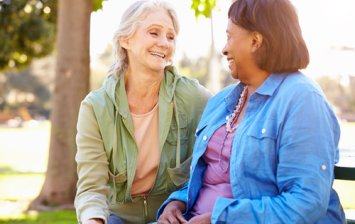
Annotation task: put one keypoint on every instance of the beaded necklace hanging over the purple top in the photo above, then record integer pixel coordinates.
(231, 125)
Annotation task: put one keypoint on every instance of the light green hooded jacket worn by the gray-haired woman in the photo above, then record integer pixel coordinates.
(107, 152)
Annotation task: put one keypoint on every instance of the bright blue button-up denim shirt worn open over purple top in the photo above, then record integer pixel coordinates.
(282, 159)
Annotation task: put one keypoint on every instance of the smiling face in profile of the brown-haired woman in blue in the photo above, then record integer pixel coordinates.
(239, 50)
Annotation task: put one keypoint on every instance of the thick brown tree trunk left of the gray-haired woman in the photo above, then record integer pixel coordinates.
(71, 86)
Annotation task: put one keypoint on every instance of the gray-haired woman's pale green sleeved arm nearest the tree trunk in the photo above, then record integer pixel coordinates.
(92, 168)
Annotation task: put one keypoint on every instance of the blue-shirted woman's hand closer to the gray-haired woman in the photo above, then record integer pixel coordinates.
(172, 213)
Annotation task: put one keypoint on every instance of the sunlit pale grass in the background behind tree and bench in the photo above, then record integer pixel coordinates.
(23, 161)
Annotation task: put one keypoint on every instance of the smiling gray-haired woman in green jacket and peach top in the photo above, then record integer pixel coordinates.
(135, 134)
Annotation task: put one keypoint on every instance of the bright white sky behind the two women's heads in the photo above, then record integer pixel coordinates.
(327, 26)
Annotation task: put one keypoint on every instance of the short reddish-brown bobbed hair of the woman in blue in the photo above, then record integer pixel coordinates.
(283, 48)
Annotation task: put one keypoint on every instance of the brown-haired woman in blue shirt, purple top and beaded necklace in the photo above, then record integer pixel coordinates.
(265, 147)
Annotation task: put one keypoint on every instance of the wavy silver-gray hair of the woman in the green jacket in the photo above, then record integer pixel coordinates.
(128, 25)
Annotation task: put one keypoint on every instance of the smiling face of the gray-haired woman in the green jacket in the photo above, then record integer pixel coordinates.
(152, 45)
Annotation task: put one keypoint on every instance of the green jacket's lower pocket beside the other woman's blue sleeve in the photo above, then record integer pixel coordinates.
(179, 175)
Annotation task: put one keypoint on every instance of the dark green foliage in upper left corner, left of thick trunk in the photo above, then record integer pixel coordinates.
(27, 31)
